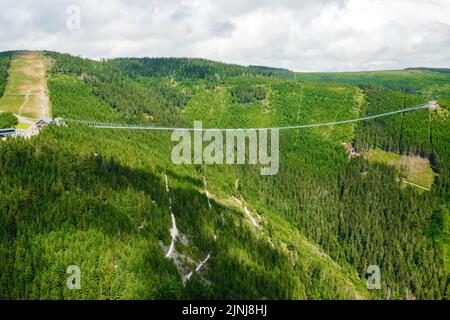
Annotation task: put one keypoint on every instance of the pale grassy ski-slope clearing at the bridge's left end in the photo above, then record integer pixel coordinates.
(26, 92)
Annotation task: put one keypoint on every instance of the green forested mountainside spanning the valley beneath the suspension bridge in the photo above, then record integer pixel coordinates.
(99, 198)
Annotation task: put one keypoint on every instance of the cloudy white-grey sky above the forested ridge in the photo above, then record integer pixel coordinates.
(303, 35)
